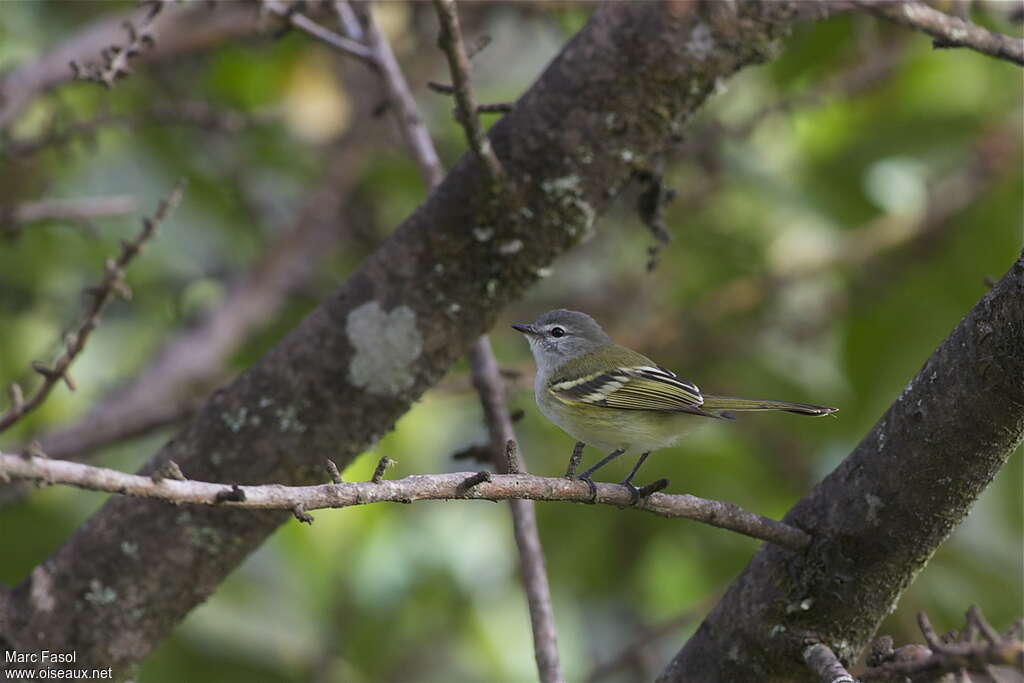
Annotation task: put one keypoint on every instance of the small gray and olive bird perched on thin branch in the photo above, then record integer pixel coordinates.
(614, 399)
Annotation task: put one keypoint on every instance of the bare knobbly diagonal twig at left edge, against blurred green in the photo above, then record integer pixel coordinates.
(101, 296)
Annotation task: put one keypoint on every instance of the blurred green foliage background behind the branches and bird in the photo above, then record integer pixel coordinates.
(839, 210)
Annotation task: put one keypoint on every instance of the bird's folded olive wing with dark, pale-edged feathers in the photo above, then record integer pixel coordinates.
(636, 385)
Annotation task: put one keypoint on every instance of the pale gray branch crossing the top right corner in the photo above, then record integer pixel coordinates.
(948, 30)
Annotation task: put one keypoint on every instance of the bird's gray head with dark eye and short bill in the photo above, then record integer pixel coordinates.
(563, 335)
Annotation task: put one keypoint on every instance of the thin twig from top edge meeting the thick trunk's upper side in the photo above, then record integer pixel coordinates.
(451, 44)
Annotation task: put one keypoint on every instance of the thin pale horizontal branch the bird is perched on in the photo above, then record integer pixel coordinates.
(416, 488)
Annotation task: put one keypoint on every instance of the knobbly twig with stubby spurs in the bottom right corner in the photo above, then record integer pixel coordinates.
(978, 647)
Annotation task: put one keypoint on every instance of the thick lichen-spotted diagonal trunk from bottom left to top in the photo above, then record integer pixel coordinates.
(616, 96)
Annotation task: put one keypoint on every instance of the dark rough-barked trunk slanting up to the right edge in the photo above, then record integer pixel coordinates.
(882, 514)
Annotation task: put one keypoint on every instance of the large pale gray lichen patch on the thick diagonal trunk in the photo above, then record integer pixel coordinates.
(387, 347)
